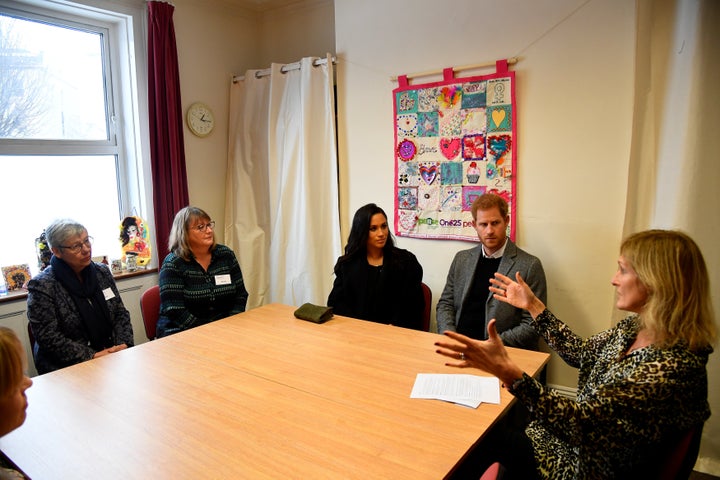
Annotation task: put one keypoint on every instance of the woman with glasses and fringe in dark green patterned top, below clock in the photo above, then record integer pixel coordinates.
(200, 280)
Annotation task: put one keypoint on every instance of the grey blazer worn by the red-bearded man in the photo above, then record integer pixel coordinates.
(513, 324)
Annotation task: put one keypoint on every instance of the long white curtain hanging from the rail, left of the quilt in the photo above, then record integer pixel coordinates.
(281, 212)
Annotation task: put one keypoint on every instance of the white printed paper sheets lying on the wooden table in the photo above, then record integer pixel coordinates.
(469, 390)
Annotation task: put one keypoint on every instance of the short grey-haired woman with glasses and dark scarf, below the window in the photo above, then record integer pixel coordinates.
(74, 306)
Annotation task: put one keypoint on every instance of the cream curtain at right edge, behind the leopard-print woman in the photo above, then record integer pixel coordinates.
(674, 158)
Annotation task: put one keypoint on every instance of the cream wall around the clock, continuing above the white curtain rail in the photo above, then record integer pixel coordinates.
(216, 41)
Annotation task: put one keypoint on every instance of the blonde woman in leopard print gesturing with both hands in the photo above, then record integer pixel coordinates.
(640, 382)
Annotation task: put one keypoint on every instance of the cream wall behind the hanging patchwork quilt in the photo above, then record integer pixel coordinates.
(574, 100)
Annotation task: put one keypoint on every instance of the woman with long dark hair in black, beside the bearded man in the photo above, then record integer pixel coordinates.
(375, 280)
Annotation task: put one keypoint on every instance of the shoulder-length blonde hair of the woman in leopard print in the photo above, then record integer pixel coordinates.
(671, 267)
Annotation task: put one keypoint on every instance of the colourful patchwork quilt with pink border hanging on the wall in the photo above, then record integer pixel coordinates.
(454, 141)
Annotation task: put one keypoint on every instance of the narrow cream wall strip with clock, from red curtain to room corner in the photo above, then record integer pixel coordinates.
(214, 42)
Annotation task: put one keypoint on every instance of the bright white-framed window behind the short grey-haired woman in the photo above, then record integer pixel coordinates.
(69, 123)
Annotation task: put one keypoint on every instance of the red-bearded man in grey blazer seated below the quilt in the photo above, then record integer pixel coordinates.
(466, 305)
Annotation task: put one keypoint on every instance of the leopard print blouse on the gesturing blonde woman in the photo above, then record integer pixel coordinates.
(625, 403)
